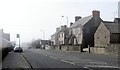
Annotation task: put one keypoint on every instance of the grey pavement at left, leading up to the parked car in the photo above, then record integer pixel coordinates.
(14, 60)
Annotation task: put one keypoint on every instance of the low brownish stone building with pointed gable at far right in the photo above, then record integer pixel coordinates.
(107, 33)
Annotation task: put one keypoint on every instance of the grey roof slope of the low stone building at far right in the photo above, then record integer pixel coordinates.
(113, 27)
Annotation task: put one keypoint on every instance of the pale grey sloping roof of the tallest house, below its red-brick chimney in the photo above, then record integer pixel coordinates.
(81, 21)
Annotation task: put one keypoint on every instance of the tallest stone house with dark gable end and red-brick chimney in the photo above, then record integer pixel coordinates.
(83, 29)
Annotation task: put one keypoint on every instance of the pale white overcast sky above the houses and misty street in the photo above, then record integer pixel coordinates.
(31, 18)
